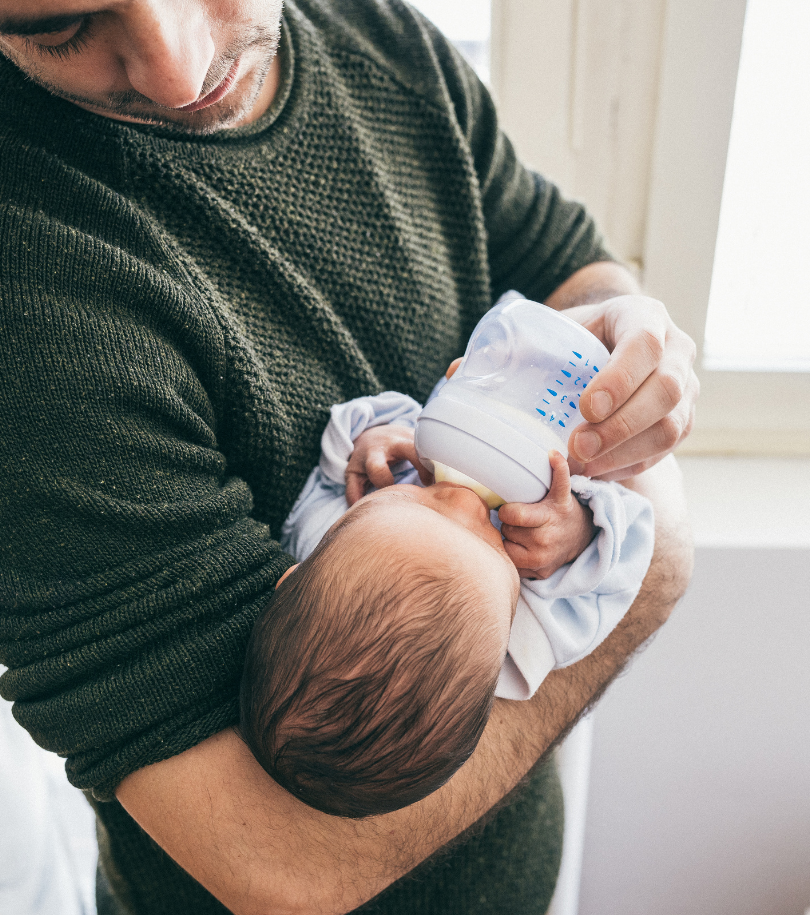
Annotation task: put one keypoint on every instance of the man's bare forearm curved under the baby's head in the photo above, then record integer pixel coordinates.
(259, 850)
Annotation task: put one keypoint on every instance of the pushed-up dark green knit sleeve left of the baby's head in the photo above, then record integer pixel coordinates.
(131, 566)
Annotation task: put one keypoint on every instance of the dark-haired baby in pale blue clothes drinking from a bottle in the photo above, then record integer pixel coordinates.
(371, 675)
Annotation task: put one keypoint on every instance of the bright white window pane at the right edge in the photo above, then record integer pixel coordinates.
(759, 315)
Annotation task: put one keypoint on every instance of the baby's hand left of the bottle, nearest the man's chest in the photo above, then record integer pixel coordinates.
(375, 450)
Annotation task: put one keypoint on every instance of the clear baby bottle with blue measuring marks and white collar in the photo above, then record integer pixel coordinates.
(514, 397)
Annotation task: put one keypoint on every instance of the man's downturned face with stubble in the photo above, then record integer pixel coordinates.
(194, 65)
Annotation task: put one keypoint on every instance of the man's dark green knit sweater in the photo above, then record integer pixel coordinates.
(178, 315)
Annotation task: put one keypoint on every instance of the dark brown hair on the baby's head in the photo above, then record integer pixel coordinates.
(367, 684)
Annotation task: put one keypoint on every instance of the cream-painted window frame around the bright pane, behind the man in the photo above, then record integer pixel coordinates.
(664, 211)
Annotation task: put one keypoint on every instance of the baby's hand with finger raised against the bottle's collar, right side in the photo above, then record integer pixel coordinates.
(542, 537)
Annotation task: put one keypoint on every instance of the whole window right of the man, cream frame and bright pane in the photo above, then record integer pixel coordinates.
(627, 105)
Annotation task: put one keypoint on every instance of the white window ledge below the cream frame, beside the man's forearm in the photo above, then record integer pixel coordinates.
(748, 502)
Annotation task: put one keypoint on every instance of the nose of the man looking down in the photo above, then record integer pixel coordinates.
(169, 51)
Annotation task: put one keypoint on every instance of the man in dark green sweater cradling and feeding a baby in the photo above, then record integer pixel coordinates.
(215, 222)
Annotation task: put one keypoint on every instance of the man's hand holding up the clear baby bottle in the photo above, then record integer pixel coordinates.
(642, 405)
